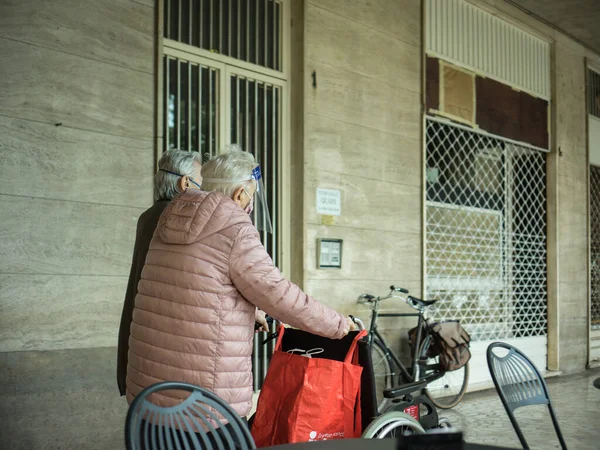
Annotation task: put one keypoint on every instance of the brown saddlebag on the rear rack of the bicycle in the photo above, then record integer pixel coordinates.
(452, 342)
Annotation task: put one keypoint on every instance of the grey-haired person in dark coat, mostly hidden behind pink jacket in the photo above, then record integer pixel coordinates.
(177, 172)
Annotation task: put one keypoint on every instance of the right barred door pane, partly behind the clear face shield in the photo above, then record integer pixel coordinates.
(256, 126)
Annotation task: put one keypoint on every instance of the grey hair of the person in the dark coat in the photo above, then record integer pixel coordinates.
(178, 161)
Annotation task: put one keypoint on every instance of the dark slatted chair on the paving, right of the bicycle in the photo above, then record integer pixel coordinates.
(519, 383)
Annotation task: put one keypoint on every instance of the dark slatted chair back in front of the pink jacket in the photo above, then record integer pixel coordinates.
(195, 423)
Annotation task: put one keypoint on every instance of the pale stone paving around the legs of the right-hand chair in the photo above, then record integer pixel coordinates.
(482, 417)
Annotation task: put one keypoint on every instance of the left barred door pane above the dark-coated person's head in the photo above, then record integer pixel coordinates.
(191, 116)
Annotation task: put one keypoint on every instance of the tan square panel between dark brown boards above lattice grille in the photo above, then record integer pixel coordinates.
(458, 94)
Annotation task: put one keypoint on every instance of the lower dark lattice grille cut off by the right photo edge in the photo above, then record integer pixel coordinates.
(595, 245)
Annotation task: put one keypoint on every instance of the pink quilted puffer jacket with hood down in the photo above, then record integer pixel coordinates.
(205, 274)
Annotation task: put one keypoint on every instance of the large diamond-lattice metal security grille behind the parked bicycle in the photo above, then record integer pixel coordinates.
(486, 232)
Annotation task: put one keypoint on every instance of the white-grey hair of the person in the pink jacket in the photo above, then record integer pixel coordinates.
(229, 171)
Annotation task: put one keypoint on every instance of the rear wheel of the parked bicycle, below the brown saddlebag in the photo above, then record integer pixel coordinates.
(448, 390)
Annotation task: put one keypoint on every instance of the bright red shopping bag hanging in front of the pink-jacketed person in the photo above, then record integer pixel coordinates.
(309, 399)
